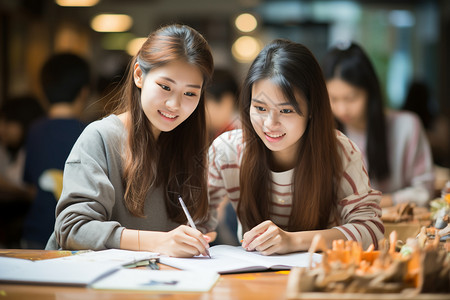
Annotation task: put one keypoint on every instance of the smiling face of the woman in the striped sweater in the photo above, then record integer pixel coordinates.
(276, 121)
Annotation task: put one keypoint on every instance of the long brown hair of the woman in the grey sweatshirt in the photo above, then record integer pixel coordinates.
(150, 163)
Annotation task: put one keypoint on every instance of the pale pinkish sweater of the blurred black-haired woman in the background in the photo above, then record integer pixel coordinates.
(410, 159)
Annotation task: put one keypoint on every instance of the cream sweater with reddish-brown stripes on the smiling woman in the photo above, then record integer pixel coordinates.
(358, 212)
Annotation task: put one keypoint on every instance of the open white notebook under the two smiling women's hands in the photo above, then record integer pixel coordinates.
(235, 259)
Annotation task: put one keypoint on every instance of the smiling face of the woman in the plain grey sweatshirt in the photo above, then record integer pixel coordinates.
(169, 94)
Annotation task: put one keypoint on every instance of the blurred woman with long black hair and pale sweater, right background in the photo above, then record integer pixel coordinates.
(393, 143)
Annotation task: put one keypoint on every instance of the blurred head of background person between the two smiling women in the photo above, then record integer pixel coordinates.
(222, 103)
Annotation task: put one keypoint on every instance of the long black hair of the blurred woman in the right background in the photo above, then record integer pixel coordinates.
(352, 65)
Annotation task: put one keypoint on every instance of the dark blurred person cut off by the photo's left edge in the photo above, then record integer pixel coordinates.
(16, 116)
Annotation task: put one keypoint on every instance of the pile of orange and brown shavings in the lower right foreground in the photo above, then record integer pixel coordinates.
(421, 266)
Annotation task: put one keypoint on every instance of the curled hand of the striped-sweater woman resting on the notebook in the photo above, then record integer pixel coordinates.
(267, 238)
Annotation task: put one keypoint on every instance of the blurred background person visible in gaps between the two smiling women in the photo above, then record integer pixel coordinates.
(221, 116)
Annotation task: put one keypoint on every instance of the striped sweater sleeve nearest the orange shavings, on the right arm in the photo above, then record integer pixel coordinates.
(359, 205)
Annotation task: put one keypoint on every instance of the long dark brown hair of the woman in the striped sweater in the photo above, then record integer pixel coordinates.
(318, 170)
